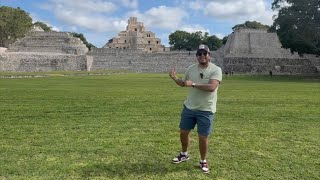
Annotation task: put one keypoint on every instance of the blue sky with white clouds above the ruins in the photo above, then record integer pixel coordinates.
(101, 20)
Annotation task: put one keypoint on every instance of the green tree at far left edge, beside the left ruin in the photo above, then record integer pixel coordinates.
(14, 24)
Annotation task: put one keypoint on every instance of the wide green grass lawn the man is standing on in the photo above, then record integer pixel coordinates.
(125, 126)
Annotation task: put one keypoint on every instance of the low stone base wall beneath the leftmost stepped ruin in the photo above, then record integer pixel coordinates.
(34, 62)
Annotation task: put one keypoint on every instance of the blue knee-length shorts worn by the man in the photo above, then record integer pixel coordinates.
(203, 119)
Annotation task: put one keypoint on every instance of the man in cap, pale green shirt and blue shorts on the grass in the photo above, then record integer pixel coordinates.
(203, 79)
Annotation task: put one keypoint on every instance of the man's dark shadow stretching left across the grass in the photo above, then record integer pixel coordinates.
(129, 169)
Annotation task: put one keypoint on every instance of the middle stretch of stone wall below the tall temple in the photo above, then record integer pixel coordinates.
(139, 61)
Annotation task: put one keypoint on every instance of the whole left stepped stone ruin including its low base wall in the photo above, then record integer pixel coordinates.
(45, 51)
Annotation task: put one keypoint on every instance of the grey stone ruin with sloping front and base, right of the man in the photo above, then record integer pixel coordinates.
(259, 52)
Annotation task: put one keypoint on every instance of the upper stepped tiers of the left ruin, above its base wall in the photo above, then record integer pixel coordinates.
(49, 42)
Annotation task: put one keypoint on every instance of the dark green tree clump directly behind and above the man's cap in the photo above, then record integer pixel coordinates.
(190, 41)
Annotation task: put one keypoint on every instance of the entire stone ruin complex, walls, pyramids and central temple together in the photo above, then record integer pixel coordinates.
(246, 51)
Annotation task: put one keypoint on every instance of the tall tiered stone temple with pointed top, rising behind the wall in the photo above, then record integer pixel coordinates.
(136, 37)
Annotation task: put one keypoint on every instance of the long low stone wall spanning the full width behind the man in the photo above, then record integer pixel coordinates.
(139, 61)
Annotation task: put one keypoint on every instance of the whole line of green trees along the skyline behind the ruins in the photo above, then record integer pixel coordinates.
(297, 26)
